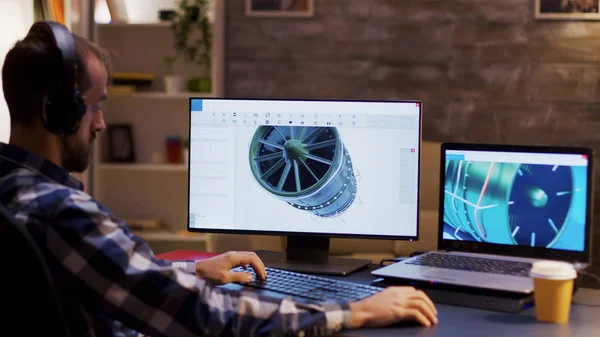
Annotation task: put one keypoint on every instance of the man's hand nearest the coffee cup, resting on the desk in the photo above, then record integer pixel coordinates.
(392, 305)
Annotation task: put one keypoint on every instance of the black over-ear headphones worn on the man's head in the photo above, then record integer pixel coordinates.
(63, 104)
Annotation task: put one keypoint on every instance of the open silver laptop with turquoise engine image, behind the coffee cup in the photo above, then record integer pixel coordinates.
(503, 207)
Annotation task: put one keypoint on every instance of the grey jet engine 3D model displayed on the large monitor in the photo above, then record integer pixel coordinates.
(307, 167)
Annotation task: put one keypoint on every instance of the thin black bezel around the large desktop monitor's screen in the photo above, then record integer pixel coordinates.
(319, 234)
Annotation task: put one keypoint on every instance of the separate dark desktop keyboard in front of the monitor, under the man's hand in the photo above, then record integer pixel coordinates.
(309, 287)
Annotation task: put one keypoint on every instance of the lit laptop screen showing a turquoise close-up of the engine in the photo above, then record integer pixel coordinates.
(529, 199)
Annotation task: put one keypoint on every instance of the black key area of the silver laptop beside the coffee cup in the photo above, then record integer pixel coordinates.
(472, 264)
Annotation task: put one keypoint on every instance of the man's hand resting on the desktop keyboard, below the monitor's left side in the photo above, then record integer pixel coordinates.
(218, 268)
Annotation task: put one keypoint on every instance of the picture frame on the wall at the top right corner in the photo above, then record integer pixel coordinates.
(567, 9)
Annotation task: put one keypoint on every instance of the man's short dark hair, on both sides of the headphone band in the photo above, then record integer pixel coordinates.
(33, 66)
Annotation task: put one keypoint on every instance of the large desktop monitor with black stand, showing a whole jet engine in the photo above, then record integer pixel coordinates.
(309, 170)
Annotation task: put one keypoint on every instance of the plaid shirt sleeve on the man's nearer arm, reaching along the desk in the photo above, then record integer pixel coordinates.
(124, 280)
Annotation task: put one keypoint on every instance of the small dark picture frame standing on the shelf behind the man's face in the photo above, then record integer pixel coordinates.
(121, 147)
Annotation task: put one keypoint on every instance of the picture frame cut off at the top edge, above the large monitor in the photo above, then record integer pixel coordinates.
(280, 8)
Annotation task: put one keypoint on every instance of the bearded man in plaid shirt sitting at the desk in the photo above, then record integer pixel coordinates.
(108, 278)
